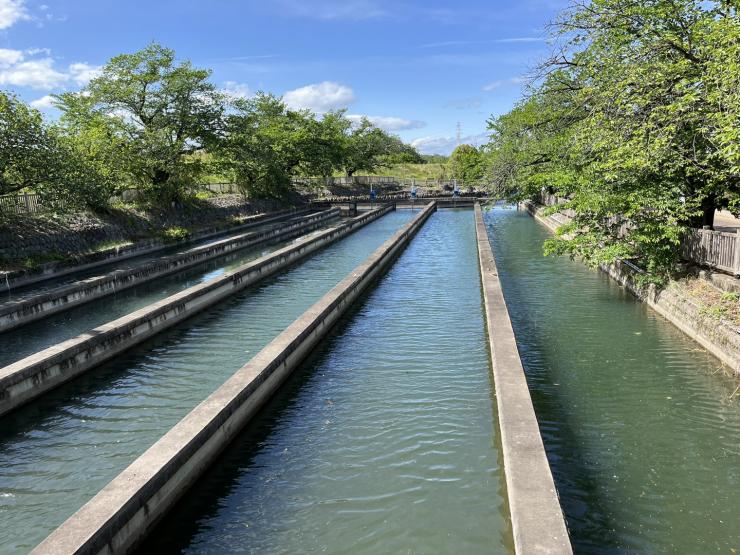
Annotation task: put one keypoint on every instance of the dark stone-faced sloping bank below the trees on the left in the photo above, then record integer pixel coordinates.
(22, 278)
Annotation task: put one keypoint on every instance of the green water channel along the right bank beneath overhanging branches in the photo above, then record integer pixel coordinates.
(641, 433)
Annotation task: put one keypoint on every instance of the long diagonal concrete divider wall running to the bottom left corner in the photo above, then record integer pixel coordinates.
(128, 508)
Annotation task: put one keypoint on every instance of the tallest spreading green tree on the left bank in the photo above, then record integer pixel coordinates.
(158, 113)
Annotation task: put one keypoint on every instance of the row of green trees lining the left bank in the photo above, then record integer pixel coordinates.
(159, 125)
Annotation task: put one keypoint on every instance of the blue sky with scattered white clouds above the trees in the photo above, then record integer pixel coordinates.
(417, 67)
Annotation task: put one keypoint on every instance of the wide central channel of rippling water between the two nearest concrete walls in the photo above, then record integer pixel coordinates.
(384, 442)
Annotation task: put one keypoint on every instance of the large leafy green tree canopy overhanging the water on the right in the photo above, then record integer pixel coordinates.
(634, 121)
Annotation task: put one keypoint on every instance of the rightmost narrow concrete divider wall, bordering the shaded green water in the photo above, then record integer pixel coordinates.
(536, 516)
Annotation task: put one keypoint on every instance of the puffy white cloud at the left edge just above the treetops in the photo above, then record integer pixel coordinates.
(41, 73)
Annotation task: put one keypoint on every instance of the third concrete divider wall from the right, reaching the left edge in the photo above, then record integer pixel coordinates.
(33, 376)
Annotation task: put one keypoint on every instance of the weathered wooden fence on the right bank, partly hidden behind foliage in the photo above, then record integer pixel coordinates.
(715, 249)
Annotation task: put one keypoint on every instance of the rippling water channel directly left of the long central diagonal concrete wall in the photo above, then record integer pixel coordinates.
(58, 452)
